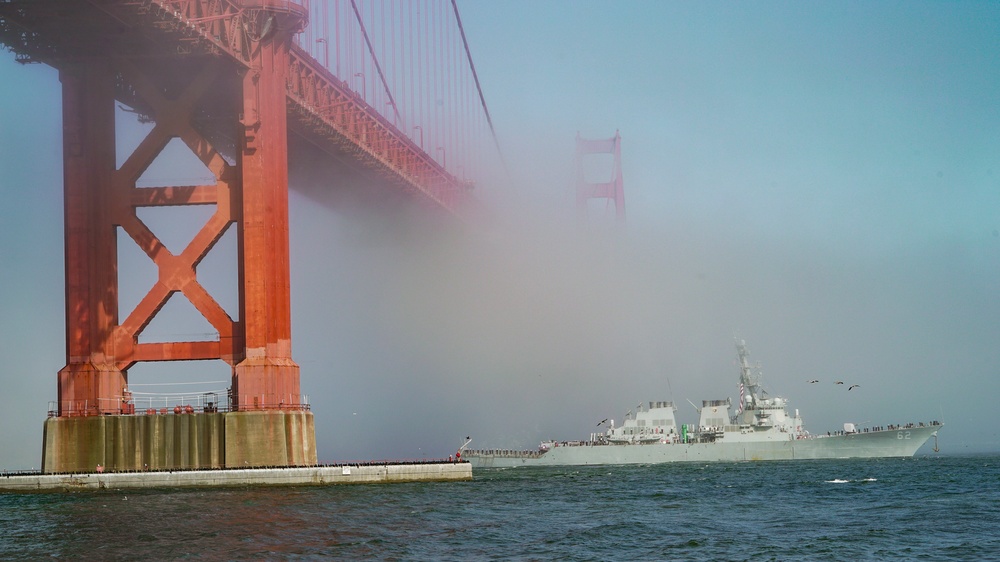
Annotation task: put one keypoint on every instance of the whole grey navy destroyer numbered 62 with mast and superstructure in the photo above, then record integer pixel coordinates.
(760, 429)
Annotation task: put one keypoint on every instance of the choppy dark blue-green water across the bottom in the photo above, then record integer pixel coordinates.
(922, 508)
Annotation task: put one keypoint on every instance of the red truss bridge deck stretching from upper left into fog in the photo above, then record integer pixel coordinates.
(322, 110)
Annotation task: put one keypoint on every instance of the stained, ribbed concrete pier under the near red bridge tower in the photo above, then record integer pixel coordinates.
(179, 441)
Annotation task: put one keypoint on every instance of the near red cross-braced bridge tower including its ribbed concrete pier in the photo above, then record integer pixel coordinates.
(95, 424)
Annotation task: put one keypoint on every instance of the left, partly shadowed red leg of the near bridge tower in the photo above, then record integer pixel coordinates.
(91, 383)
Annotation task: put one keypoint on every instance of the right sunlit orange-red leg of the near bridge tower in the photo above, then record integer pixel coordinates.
(266, 377)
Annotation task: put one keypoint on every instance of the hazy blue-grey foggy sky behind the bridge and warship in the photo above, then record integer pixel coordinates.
(822, 178)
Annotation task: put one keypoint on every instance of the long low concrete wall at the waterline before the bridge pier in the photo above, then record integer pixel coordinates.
(295, 476)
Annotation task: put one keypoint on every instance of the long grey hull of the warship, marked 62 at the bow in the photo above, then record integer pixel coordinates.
(874, 444)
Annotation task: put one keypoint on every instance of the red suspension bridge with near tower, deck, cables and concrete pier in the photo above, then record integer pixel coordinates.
(378, 98)
